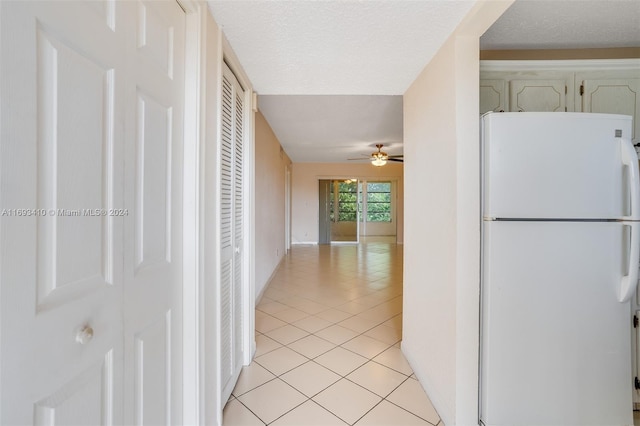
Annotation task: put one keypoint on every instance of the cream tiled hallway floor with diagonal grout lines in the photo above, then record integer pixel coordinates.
(328, 332)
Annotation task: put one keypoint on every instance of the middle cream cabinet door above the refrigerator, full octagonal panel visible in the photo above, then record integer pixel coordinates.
(537, 95)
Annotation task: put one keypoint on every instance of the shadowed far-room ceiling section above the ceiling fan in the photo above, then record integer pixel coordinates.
(334, 128)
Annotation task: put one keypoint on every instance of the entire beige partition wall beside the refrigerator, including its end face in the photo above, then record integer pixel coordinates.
(442, 217)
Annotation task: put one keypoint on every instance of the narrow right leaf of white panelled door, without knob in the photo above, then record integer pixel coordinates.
(153, 229)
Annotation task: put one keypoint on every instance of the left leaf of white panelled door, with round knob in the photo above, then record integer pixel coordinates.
(61, 178)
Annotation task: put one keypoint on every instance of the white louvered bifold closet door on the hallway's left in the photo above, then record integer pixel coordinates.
(231, 168)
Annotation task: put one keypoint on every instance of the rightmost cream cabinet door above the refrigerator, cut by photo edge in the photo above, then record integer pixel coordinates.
(613, 96)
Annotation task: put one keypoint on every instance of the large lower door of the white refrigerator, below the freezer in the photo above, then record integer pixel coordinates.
(555, 340)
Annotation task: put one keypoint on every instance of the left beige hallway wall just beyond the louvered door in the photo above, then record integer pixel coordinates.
(271, 163)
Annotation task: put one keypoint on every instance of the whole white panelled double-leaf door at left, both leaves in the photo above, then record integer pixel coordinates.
(92, 104)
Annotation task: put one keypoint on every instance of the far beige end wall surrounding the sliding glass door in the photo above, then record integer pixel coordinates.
(304, 227)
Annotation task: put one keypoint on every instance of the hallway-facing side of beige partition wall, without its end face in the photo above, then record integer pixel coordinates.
(429, 326)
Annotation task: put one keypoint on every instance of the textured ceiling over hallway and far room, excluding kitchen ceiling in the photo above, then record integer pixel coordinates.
(335, 48)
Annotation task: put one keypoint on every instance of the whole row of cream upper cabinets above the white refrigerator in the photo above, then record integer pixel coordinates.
(599, 86)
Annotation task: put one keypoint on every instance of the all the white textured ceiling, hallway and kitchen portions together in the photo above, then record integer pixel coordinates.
(378, 47)
